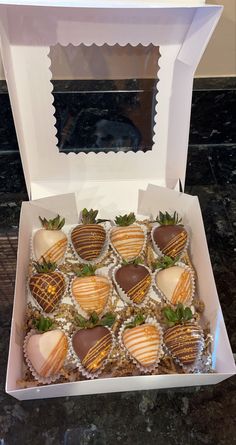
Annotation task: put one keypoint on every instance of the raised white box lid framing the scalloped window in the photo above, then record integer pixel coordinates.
(28, 32)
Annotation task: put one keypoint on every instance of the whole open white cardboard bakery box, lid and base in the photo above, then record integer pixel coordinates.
(112, 182)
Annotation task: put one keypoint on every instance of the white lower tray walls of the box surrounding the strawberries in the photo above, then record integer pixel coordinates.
(150, 202)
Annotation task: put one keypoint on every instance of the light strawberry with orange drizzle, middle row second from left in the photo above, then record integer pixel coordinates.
(90, 291)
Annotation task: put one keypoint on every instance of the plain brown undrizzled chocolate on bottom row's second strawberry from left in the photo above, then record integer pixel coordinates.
(85, 339)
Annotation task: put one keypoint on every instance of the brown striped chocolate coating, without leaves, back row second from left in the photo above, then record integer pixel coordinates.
(88, 240)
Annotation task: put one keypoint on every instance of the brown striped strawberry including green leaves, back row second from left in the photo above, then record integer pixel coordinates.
(88, 238)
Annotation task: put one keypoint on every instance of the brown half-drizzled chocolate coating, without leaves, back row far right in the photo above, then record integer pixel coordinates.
(170, 239)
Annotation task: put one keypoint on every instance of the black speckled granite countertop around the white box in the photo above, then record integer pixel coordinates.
(186, 416)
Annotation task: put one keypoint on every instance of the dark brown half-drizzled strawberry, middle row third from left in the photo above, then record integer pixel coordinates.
(134, 280)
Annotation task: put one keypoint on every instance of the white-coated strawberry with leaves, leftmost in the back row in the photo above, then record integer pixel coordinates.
(50, 242)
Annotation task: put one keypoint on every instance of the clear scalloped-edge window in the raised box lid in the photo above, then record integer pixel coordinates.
(112, 107)
